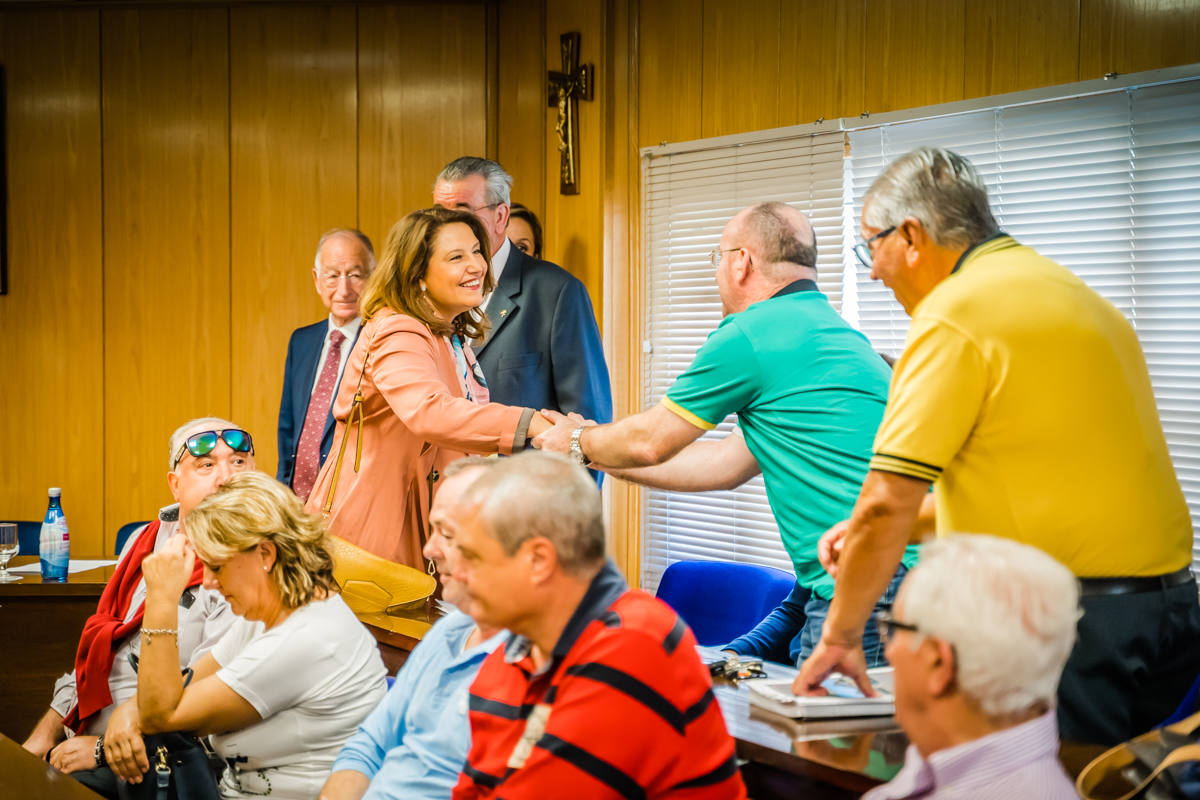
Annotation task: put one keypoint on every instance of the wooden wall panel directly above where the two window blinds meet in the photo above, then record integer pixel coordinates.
(821, 61)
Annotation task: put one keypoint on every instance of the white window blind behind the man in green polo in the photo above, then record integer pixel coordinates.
(688, 197)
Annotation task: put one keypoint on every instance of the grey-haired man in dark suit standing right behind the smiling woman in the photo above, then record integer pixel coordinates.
(544, 347)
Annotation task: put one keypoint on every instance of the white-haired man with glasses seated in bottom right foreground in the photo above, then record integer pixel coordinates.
(981, 633)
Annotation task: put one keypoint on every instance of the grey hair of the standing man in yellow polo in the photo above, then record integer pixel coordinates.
(939, 188)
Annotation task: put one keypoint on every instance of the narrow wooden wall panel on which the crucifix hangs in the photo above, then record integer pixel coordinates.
(574, 224)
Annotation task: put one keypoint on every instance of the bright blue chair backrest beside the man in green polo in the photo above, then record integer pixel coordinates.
(722, 600)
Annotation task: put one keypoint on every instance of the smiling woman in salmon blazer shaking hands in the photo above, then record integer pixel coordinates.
(413, 398)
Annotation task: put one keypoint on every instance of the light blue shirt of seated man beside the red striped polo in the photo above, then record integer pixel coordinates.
(416, 743)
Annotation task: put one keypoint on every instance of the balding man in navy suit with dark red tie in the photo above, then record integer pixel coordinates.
(345, 260)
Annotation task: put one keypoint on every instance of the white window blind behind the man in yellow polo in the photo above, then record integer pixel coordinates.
(1107, 185)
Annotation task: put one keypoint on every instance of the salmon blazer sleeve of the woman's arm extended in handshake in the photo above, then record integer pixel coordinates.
(409, 368)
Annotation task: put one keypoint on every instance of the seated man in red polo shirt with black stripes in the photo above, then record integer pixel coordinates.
(598, 693)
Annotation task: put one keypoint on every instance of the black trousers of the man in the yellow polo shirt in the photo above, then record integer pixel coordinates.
(1136, 658)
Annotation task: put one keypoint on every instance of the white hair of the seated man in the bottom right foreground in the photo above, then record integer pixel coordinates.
(1010, 611)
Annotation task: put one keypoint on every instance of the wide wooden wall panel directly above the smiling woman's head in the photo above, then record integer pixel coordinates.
(423, 101)
